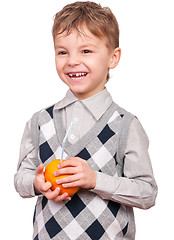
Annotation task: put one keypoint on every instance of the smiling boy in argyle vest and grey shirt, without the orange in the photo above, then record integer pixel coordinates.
(107, 149)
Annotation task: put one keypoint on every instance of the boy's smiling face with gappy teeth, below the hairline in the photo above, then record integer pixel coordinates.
(83, 61)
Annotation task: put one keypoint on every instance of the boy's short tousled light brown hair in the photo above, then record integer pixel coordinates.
(99, 20)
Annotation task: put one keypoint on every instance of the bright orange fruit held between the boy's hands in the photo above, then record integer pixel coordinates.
(49, 176)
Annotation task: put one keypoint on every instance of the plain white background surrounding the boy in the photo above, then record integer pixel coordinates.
(142, 84)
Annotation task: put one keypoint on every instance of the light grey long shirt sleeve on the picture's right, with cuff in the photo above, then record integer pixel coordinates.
(138, 187)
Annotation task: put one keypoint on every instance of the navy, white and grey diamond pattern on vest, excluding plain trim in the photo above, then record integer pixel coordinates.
(87, 215)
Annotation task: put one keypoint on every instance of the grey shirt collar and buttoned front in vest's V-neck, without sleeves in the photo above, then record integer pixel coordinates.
(76, 111)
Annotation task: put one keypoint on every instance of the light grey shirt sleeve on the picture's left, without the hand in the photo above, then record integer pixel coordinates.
(24, 177)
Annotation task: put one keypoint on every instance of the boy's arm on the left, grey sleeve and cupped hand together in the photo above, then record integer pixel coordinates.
(29, 180)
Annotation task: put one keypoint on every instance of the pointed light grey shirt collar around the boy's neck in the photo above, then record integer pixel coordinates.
(96, 104)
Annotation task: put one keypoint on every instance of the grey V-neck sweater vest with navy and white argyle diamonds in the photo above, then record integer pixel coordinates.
(87, 215)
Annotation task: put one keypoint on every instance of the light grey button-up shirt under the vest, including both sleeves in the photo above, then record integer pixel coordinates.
(137, 162)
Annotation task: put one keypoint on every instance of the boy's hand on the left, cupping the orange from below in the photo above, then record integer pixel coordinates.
(43, 187)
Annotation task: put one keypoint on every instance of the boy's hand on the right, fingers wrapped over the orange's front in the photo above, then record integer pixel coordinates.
(81, 174)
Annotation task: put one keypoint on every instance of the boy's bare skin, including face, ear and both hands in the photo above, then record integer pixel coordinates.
(82, 62)
